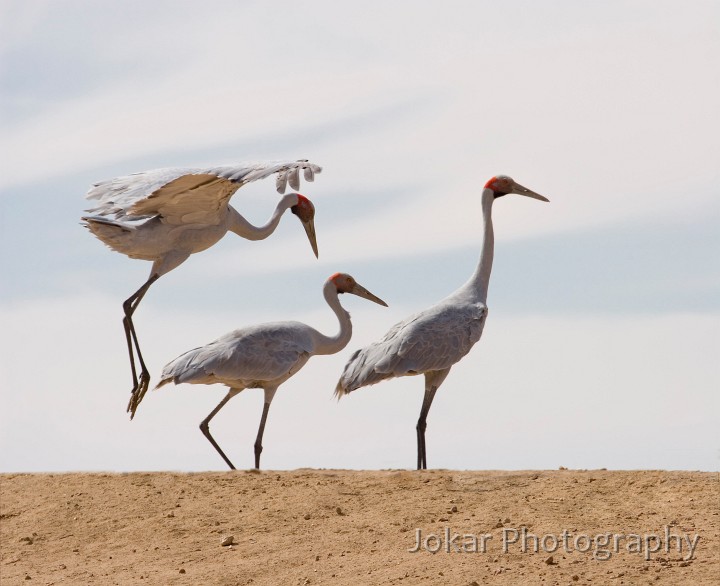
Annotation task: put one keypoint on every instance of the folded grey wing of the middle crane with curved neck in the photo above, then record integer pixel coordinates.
(258, 353)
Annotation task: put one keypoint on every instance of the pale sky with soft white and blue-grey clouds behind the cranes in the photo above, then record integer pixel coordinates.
(604, 330)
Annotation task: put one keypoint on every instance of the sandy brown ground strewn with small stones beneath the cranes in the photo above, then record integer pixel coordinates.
(357, 527)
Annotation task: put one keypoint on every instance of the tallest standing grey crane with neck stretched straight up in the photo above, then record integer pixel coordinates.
(432, 341)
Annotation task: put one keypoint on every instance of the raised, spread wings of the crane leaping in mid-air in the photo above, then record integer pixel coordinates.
(183, 196)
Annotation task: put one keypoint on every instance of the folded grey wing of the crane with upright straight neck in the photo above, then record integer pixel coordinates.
(431, 340)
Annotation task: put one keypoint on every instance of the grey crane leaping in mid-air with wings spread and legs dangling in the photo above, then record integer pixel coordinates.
(165, 215)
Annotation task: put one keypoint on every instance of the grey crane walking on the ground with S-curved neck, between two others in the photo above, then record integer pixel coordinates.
(263, 356)
